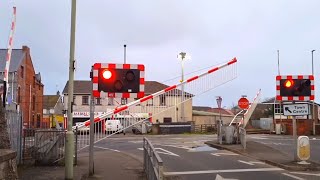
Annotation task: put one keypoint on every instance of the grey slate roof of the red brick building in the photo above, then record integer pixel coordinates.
(16, 59)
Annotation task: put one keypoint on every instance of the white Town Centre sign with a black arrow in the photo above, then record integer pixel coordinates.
(295, 109)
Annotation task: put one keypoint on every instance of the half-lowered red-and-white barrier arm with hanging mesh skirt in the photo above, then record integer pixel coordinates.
(163, 101)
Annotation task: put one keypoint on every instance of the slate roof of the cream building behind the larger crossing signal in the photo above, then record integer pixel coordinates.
(85, 87)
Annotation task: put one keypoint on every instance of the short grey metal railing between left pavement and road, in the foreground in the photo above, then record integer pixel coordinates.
(153, 164)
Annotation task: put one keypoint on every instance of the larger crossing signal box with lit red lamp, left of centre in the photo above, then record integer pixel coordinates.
(118, 80)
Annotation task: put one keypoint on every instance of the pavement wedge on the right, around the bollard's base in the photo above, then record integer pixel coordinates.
(267, 154)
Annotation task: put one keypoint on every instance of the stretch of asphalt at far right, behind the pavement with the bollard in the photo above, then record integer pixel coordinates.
(285, 144)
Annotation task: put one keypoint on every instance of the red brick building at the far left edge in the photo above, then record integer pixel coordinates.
(25, 92)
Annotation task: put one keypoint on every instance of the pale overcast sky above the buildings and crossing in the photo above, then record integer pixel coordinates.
(155, 31)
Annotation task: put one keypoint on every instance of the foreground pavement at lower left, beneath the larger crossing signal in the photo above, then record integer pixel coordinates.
(107, 165)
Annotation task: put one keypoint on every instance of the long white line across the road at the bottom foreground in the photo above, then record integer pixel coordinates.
(221, 171)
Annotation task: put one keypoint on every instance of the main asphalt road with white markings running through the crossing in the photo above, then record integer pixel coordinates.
(187, 157)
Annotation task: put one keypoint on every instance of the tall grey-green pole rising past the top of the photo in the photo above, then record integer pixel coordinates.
(69, 146)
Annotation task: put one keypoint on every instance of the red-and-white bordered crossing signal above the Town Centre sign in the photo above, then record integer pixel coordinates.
(299, 88)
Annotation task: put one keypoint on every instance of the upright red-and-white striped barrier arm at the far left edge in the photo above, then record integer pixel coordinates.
(10, 43)
